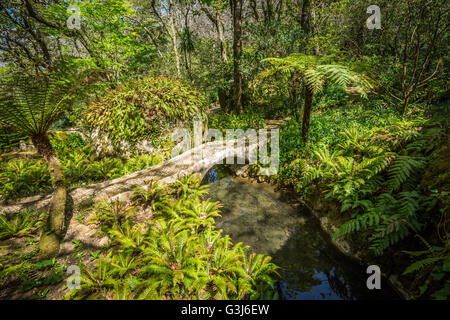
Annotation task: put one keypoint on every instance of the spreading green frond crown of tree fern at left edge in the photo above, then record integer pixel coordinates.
(32, 105)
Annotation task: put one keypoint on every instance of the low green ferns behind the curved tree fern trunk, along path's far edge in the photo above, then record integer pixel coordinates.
(22, 177)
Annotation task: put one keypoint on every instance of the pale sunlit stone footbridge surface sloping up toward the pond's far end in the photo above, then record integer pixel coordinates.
(197, 160)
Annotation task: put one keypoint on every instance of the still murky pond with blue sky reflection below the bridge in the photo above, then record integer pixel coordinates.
(265, 219)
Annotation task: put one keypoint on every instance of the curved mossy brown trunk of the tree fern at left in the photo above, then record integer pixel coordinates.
(53, 230)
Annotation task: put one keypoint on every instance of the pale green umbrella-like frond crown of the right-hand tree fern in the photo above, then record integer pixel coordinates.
(316, 70)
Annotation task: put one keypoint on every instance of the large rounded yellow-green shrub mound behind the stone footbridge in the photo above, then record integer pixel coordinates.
(142, 109)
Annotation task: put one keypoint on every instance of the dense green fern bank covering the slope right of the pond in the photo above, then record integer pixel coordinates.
(377, 166)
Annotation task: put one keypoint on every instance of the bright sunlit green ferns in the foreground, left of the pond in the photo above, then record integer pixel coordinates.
(174, 252)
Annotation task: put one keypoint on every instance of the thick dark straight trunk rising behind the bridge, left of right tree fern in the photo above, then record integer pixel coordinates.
(236, 8)
